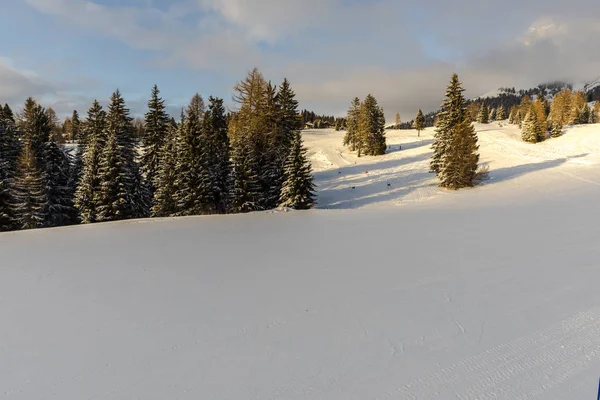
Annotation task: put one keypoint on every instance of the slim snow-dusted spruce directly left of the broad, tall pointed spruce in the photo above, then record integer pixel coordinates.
(87, 193)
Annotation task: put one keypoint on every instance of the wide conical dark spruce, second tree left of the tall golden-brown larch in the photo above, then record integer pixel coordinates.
(193, 194)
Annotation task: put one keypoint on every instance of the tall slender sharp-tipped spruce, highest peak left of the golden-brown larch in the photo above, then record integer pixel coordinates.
(156, 127)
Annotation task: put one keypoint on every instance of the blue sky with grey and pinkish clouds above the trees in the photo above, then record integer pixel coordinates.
(66, 53)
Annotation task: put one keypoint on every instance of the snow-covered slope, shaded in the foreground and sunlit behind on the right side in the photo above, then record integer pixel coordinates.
(406, 292)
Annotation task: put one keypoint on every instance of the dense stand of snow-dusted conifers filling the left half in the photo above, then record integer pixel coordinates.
(208, 162)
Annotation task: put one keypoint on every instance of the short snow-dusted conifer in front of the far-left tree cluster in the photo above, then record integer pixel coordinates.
(28, 190)
